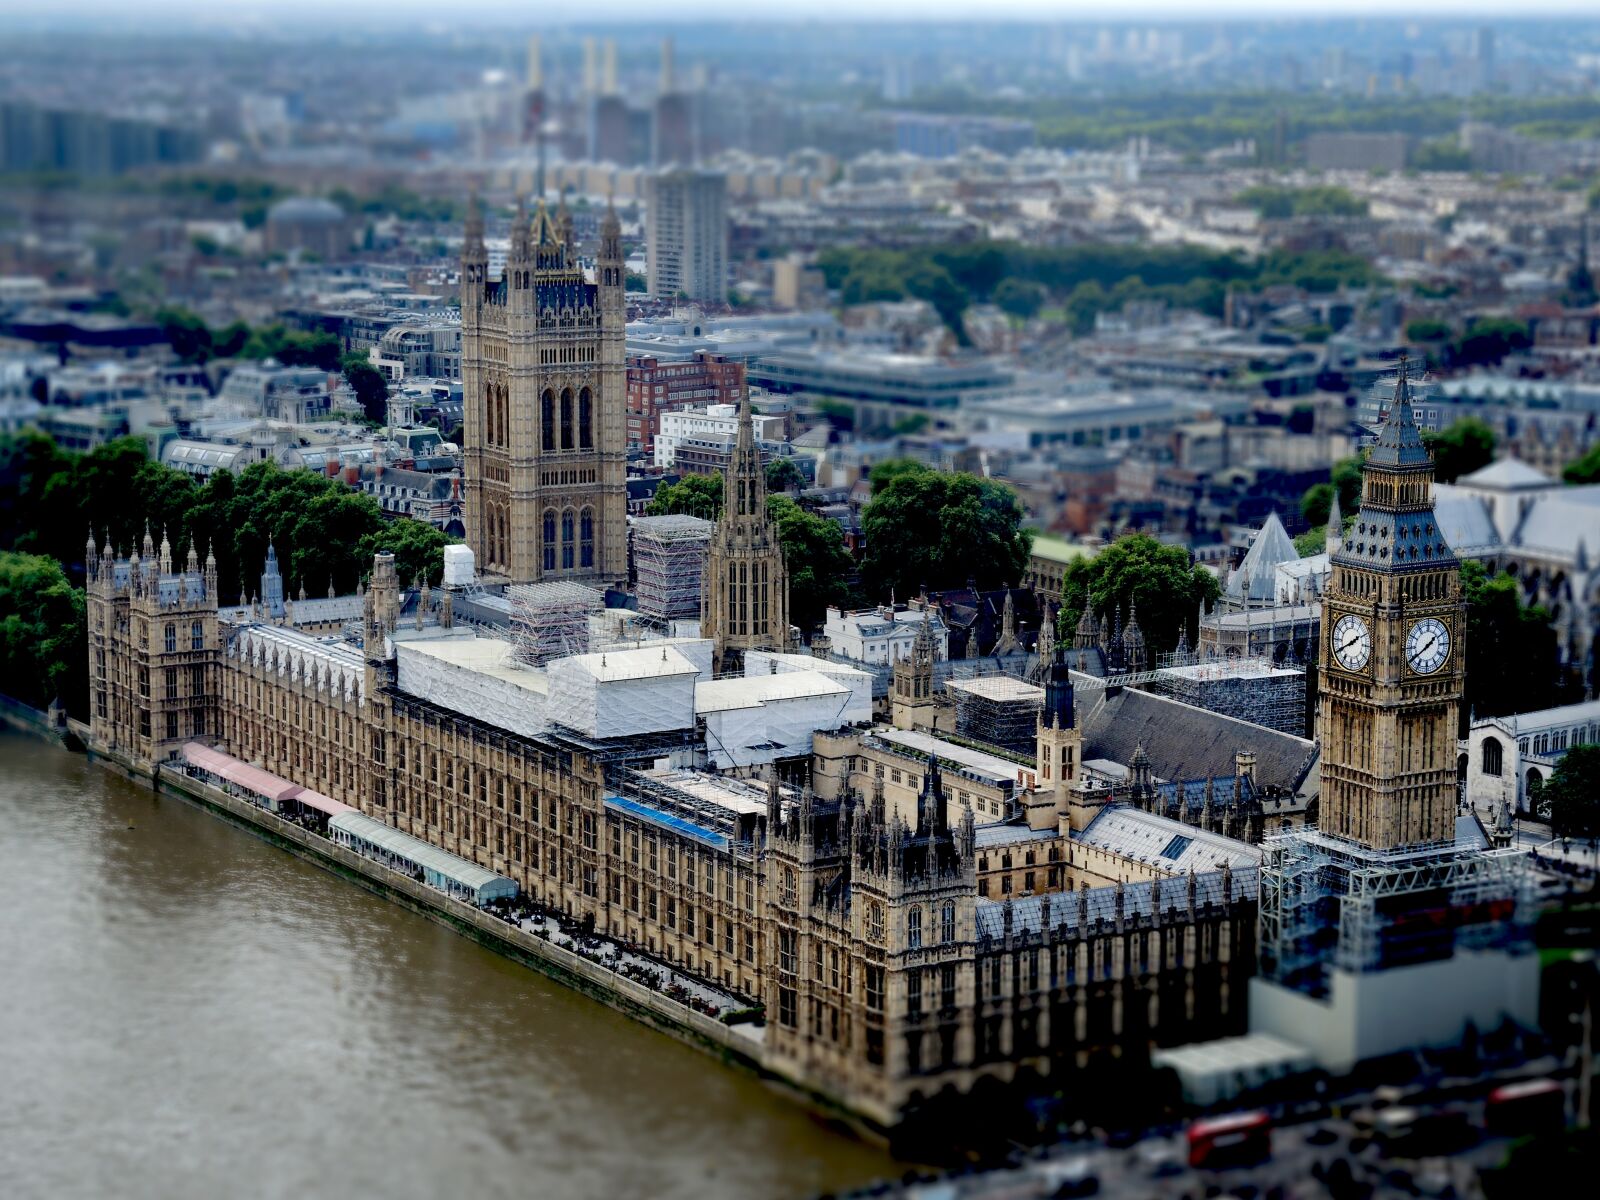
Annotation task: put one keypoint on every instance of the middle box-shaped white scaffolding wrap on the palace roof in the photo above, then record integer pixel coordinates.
(625, 694)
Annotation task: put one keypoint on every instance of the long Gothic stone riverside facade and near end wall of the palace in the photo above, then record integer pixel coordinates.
(886, 977)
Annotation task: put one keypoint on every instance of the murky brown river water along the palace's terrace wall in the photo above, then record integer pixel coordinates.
(186, 1012)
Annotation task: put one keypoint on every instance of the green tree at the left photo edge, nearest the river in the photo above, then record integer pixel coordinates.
(44, 652)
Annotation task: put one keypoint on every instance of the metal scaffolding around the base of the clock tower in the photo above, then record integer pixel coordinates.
(1335, 905)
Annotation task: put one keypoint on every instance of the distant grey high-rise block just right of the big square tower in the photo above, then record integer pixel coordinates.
(687, 236)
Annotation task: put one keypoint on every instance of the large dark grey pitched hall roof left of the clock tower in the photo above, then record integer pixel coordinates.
(1190, 743)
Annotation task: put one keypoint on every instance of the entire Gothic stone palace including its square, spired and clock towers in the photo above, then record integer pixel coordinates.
(911, 922)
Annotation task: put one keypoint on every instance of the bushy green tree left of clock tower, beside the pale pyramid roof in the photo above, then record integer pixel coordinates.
(1140, 575)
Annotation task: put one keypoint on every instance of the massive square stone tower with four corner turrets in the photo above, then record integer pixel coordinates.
(543, 380)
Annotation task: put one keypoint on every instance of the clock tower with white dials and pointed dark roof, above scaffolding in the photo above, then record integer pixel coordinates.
(1391, 660)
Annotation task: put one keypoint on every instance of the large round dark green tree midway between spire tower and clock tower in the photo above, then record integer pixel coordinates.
(926, 527)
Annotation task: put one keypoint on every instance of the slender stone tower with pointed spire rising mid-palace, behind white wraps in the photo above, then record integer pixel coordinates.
(746, 604)
